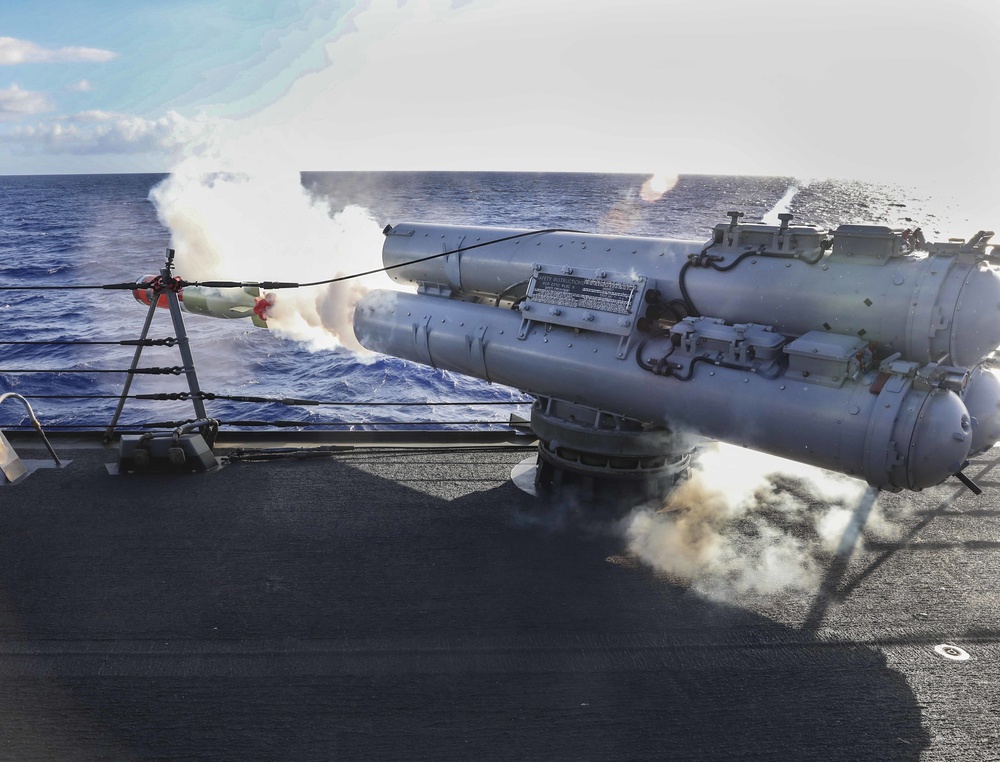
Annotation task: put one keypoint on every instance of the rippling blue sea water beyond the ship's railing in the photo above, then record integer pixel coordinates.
(97, 229)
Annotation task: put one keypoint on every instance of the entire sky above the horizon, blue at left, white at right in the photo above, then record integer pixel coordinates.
(887, 90)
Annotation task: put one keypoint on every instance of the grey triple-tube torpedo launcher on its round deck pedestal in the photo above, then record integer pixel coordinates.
(862, 350)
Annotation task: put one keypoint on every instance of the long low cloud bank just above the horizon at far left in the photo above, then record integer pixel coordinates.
(105, 132)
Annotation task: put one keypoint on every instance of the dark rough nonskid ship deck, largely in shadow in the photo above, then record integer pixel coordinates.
(410, 605)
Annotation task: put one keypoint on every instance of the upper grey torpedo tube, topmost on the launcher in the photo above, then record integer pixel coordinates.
(940, 303)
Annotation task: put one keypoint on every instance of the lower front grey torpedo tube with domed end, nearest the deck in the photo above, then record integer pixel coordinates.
(885, 427)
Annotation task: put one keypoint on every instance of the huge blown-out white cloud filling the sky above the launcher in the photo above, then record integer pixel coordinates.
(719, 86)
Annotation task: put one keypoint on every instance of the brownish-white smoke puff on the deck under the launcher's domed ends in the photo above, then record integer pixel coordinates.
(748, 523)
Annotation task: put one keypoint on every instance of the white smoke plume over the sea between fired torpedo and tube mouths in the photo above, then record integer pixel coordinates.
(237, 211)
